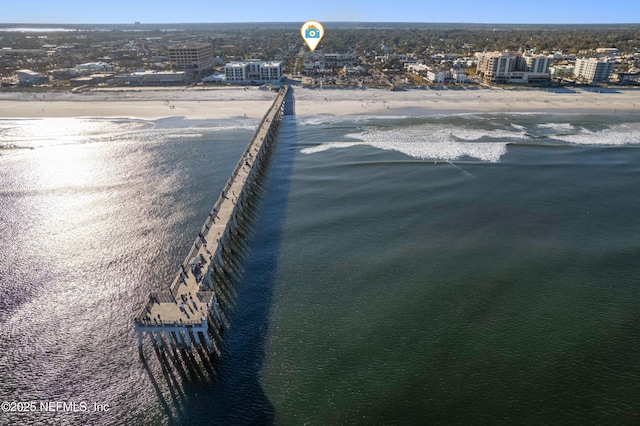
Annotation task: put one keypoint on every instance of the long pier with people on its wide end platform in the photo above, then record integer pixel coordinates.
(182, 315)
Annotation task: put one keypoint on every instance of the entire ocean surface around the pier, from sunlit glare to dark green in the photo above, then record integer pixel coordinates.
(423, 269)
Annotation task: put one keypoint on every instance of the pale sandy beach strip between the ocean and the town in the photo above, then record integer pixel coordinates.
(220, 103)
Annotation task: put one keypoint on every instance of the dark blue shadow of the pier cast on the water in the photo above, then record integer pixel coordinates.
(209, 389)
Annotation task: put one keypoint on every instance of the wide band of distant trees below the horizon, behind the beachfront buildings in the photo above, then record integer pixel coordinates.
(283, 41)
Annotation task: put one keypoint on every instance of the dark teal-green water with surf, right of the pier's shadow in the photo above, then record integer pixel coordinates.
(496, 289)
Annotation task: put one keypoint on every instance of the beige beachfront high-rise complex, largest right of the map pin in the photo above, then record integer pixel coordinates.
(506, 67)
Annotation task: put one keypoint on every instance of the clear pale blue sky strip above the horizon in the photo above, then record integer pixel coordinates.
(163, 11)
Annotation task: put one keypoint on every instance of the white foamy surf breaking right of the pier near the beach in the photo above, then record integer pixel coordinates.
(479, 137)
